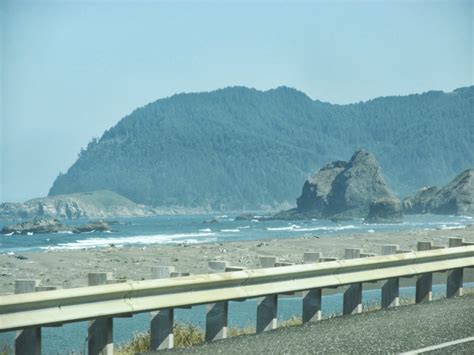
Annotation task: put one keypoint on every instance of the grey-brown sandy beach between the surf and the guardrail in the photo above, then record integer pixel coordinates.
(69, 268)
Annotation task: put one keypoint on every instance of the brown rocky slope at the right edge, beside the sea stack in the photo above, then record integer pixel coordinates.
(457, 197)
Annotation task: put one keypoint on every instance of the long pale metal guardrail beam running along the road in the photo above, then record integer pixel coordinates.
(71, 305)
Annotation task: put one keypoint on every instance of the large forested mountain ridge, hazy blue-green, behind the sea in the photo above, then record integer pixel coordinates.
(240, 148)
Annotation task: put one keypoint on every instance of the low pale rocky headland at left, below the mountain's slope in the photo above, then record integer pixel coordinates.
(97, 204)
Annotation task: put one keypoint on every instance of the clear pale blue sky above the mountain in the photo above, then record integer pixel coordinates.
(71, 69)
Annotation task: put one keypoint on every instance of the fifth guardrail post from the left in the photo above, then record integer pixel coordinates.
(268, 305)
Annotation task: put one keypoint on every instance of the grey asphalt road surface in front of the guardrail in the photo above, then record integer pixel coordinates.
(399, 330)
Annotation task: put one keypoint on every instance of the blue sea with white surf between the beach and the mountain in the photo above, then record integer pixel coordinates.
(210, 228)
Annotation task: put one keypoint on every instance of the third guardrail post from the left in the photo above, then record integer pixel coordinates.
(161, 325)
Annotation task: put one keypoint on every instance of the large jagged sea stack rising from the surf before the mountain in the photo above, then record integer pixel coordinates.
(342, 190)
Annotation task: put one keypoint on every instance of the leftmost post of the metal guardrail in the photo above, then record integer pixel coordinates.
(27, 341)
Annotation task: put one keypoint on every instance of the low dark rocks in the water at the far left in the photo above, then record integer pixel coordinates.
(48, 225)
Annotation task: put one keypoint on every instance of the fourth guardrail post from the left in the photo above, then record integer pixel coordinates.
(217, 313)
